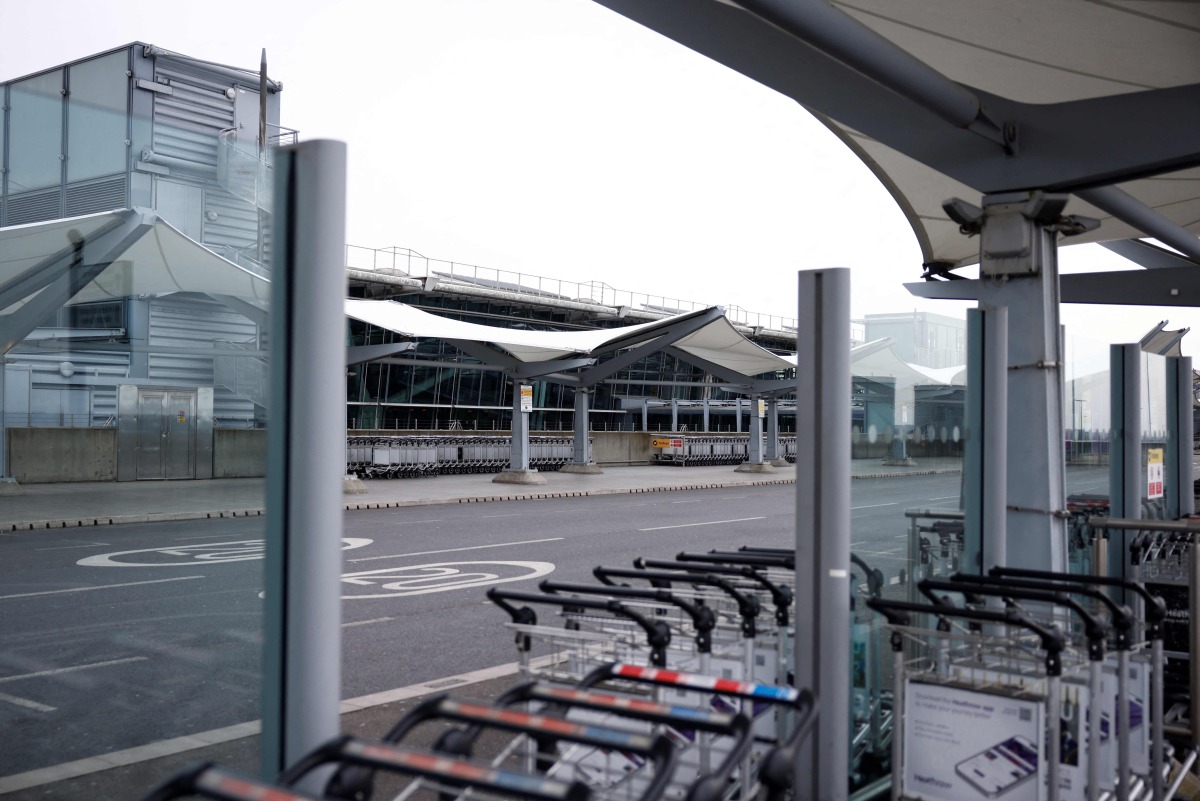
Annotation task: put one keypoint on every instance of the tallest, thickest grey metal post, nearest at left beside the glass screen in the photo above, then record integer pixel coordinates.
(303, 654)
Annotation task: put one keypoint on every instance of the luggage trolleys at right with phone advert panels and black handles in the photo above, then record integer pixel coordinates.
(1029, 685)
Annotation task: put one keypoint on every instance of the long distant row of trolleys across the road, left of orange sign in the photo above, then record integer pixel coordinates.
(416, 456)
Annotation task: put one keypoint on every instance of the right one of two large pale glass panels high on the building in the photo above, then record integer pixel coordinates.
(98, 112)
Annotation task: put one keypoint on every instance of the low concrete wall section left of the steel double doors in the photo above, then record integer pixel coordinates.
(43, 456)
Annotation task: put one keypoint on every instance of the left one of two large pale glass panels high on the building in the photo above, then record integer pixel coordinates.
(35, 134)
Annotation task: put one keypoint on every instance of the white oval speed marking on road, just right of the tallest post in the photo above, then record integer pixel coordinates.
(439, 577)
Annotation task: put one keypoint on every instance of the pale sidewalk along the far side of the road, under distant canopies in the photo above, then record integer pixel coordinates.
(69, 505)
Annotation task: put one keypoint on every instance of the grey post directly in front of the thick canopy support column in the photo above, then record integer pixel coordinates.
(986, 467)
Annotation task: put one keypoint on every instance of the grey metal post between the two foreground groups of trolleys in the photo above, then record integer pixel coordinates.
(823, 529)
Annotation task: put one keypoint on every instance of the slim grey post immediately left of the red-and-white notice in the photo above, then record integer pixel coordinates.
(1125, 463)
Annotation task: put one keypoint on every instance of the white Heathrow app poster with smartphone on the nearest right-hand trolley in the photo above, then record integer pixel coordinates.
(962, 745)
